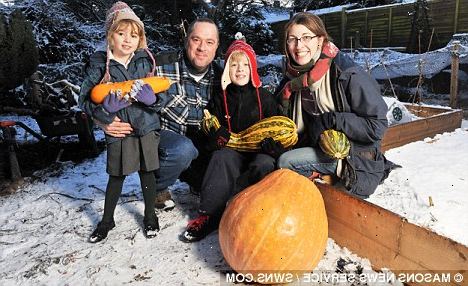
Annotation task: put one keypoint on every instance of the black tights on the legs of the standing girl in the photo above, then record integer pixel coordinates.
(114, 189)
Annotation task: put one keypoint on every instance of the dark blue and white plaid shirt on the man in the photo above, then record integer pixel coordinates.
(183, 104)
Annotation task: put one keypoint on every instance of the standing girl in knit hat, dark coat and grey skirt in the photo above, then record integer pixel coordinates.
(126, 58)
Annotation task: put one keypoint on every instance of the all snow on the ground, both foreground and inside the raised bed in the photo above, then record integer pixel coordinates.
(45, 225)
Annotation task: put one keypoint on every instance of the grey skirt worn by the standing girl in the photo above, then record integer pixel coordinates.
(133, 154)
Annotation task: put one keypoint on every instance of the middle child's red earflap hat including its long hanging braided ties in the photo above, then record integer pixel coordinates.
(241, 46)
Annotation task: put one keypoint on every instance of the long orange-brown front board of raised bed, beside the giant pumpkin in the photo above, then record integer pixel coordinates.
(389, 240)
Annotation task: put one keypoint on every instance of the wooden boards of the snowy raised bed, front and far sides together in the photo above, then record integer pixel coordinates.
(385, 238)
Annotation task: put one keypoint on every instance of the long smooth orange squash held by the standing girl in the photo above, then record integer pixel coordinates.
(100, 91)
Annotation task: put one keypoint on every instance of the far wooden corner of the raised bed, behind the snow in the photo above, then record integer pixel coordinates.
(433, 121)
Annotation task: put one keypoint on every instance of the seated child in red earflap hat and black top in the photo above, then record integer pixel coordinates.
(241, 103)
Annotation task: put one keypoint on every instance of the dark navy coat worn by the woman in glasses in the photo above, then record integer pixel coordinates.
(360, 114)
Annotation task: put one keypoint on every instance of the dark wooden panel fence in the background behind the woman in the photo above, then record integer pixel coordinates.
(391, 24)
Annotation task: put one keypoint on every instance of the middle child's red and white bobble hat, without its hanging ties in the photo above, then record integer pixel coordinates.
(242, 46)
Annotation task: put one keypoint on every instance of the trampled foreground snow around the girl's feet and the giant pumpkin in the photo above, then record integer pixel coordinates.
(45, 226)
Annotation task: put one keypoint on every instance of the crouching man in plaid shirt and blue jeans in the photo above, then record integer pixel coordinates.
(182, 105)
